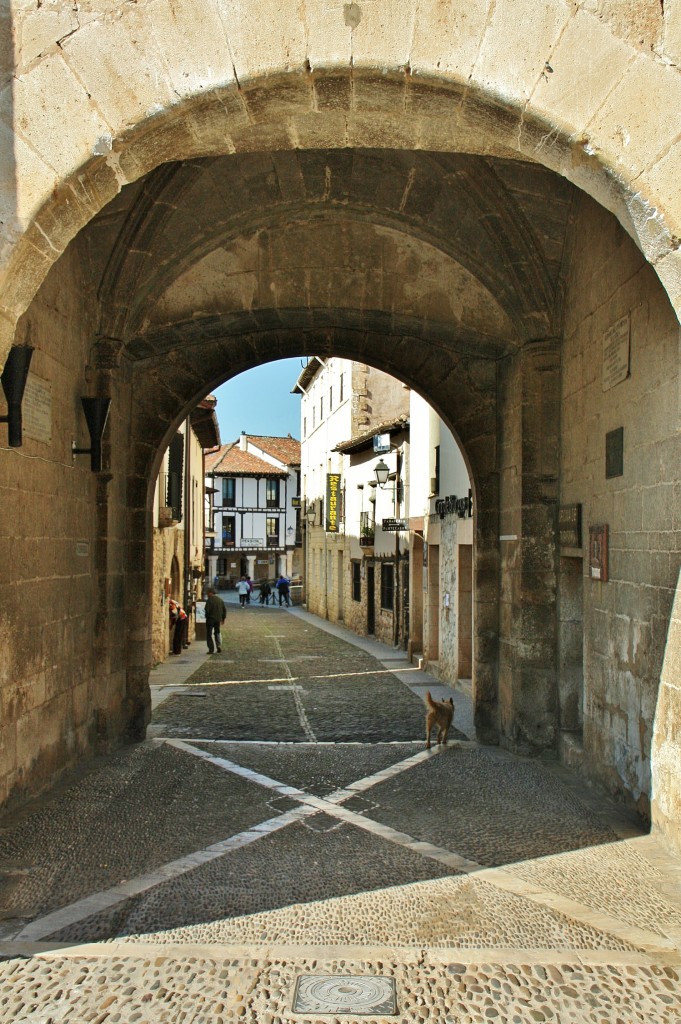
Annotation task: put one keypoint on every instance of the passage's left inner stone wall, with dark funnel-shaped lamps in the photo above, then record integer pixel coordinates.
(63, 536)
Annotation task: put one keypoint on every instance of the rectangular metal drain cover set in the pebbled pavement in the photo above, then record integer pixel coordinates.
(328, 994)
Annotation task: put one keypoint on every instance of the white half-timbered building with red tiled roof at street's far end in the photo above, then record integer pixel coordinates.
(253, 510)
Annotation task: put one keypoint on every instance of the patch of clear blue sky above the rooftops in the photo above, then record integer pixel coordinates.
(260, 402)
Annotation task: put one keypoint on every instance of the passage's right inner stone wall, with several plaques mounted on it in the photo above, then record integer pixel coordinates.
(626, 619)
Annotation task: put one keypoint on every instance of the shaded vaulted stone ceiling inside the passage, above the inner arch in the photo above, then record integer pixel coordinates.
(462, 250)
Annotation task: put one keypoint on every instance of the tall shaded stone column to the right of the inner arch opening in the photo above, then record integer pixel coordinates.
(529, 482)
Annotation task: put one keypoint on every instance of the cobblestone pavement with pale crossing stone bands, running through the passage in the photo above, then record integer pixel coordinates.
(284, 849)
